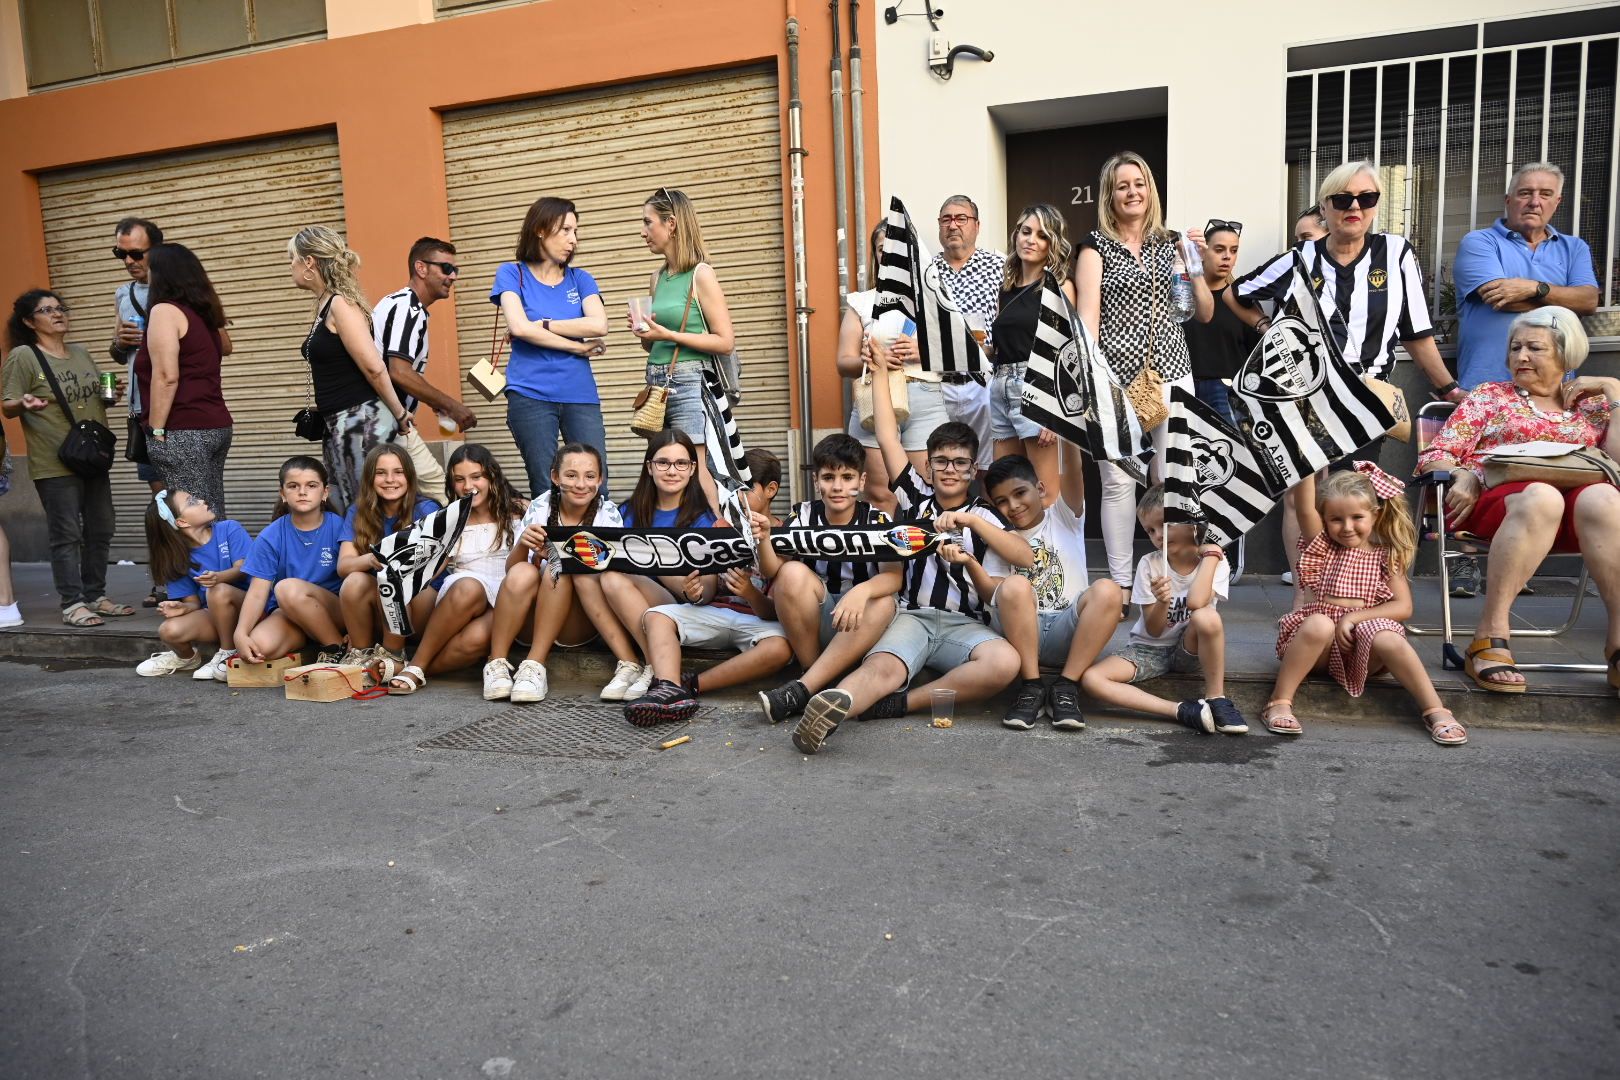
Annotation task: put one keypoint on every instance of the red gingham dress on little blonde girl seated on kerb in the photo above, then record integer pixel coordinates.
(1331, 571)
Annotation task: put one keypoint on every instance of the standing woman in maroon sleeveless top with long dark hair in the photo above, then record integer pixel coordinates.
(179, 376)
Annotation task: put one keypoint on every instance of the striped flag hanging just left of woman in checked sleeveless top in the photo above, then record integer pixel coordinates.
(1070, 389)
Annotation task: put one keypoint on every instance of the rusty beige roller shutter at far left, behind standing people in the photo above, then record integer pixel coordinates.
(236, 208)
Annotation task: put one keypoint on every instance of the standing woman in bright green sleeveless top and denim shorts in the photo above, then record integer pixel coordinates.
(691, 323)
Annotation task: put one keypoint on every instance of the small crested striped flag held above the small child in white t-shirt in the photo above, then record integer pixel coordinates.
(1213, 475)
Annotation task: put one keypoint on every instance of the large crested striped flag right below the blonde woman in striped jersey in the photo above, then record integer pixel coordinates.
(1297, 398)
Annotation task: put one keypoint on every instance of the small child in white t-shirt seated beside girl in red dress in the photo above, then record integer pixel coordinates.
(1179, 631)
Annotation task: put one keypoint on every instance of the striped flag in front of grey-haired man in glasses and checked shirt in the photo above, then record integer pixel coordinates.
(910, 283)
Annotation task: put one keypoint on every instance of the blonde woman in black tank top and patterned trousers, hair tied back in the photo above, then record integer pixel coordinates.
(352, 388)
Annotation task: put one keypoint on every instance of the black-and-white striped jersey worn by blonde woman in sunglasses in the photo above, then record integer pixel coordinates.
(1371, 305)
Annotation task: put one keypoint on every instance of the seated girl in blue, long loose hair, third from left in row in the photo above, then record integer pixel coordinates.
(388, 503)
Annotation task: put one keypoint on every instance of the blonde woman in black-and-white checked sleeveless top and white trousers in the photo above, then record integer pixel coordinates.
(1123, 284)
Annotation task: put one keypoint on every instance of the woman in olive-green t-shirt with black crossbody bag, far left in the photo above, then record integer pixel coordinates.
(79, 511)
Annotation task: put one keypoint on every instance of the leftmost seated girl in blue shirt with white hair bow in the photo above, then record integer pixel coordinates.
(200, 559)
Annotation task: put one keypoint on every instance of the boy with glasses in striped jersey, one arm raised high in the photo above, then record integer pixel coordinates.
(945, 597)
